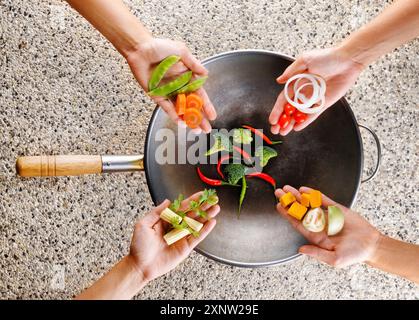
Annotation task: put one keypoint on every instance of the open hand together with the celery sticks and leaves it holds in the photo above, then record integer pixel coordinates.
(150, 252)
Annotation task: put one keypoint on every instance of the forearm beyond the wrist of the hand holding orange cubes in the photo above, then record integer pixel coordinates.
(397, 257)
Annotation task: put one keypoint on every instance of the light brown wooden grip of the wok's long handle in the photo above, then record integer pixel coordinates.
(53, 166)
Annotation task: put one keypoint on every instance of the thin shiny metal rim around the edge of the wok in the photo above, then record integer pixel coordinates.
(224, 260)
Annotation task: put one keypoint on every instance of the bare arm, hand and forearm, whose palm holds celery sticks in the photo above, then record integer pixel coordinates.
(150, 256)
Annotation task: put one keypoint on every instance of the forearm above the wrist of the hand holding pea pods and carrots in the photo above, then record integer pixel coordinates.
(114, 20)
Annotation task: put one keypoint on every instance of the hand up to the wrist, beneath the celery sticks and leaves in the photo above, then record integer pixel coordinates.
(151, 254)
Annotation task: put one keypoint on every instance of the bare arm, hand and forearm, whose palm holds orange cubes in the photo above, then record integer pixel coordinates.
(358, 242)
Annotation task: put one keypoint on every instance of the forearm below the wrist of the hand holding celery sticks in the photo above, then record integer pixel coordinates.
(122, 282)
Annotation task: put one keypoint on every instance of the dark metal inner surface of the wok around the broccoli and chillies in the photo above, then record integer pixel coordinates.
(327, 156)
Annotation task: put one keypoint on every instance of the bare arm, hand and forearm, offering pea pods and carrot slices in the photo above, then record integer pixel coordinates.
(142, 52)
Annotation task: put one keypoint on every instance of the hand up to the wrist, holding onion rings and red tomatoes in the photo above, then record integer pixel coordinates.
(334, 65)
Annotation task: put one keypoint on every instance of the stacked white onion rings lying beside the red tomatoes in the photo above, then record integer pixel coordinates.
(318, 95)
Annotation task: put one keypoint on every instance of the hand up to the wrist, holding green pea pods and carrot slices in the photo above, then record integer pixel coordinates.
(143, 60)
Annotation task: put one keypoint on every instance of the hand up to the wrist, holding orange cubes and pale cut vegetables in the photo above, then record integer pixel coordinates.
(357, 242)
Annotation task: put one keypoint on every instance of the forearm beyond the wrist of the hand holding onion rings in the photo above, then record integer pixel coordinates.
(398, 24)
